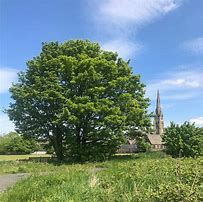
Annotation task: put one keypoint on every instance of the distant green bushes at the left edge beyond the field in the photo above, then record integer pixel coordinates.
(13, 143)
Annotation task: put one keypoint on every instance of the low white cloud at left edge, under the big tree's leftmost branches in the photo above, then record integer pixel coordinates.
(5, 124)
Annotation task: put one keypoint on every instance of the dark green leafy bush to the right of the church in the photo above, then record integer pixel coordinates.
(183, 140)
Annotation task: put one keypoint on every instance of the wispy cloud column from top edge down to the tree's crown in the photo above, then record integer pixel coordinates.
(122, 19)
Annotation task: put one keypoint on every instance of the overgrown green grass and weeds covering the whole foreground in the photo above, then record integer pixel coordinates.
(150, 177)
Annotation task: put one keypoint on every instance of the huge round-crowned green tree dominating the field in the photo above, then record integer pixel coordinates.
(80, 98)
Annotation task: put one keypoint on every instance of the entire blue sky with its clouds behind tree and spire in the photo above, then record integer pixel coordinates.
(163, 39)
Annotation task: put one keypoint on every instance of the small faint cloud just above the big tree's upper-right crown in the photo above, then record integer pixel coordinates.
(124, 48)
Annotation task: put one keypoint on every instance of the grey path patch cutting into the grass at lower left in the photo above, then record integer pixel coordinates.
(10, 179)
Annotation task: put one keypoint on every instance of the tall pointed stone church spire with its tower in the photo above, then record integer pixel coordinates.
(159, 122)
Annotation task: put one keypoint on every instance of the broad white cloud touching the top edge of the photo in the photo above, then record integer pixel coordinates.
(137, 12)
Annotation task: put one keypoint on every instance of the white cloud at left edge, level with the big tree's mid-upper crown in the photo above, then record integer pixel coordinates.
(7, 76)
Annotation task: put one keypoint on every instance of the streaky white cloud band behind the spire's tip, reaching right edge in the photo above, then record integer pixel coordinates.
(178, 85)
